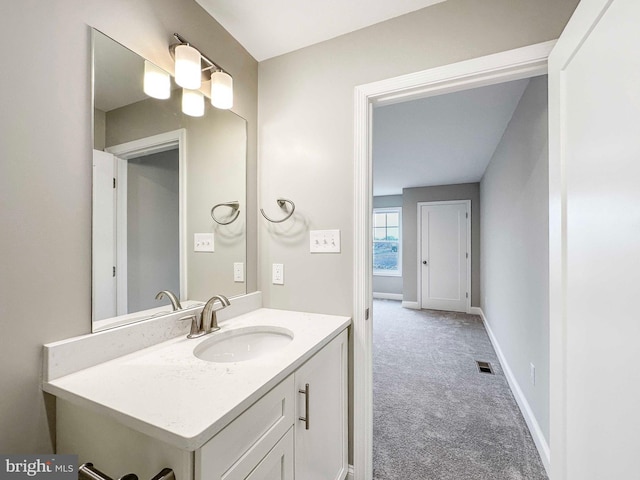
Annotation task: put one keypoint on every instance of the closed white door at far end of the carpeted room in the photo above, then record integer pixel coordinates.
(443, 255)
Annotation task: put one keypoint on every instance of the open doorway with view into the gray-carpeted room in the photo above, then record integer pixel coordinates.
(437, 158)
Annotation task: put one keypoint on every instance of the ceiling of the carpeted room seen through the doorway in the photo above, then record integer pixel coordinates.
(442, 140)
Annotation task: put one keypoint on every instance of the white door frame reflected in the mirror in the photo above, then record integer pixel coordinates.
(137, 148)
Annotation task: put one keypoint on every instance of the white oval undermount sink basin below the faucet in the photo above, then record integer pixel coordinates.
(243, 344)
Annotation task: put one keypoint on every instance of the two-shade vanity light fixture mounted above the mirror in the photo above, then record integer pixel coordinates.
(221, 81)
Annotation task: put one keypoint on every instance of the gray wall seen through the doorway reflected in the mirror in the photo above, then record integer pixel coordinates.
(153, 235)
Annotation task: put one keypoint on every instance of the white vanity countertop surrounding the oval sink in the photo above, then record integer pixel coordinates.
(167, 393)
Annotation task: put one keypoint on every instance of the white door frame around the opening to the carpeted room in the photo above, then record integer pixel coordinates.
(501, 67)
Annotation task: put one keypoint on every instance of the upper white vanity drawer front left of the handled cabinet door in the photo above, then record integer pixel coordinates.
(241, 445)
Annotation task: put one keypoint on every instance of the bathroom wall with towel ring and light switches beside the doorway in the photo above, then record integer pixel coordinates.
(306, 127)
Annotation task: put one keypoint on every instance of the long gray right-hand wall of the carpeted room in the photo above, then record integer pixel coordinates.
(514, 196)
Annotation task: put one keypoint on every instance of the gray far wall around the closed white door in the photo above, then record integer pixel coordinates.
(411, 197)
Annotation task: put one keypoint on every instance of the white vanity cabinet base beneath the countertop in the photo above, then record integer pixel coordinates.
(267, 441)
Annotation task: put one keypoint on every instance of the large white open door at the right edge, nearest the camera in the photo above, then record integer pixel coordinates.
(594, 120)
